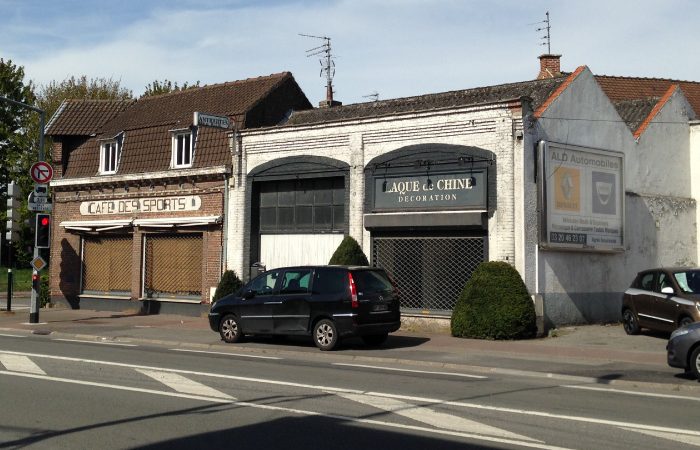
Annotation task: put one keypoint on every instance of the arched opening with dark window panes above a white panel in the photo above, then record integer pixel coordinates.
(299, 211)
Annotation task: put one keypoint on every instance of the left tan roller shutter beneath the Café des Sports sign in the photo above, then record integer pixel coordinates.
(107, 265)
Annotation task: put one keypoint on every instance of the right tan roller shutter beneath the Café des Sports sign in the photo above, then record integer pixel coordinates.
(173, 266)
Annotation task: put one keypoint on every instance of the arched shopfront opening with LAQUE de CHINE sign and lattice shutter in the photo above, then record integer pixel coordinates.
(427, 209)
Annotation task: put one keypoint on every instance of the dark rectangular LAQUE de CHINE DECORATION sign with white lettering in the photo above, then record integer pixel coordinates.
(431, 191)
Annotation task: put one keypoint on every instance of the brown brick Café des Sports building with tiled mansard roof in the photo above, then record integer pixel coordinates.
(140, 191)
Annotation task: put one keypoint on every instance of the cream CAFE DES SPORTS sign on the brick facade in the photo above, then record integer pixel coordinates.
(141, 205)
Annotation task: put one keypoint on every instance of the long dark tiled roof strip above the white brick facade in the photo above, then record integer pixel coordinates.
(537, 90)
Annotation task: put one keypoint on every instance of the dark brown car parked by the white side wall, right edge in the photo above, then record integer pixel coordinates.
(662, 299)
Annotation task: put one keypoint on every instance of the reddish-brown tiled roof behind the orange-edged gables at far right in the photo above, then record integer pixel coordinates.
(629, 88)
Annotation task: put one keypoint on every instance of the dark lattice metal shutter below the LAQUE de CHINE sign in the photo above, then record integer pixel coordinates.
(429, 271)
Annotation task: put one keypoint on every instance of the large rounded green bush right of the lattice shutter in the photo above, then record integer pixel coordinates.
(494, 304)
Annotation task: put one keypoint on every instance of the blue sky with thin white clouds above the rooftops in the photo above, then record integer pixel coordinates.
(393, 48)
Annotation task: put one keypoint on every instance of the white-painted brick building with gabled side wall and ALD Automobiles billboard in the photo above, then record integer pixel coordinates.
(577, 180)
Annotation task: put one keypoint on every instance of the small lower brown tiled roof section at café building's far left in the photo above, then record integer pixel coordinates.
(84, 117)
